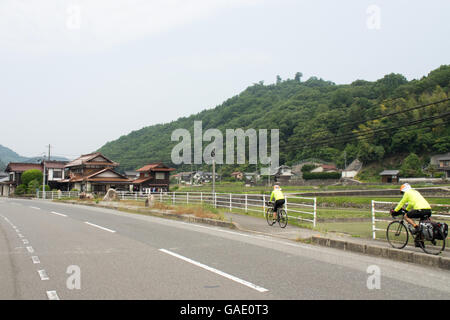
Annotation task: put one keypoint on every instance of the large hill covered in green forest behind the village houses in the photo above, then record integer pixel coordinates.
(318, 119)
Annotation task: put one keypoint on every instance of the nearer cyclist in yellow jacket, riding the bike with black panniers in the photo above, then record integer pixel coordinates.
(421, 209)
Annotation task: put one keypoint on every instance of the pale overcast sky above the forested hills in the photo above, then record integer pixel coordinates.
(77, 74)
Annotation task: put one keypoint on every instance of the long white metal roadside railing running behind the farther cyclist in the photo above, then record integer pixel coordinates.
(297, 208)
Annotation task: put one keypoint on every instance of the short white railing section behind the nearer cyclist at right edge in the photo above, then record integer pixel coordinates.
(381, 215)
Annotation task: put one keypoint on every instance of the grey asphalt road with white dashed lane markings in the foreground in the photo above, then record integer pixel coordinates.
(127, 256)
